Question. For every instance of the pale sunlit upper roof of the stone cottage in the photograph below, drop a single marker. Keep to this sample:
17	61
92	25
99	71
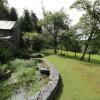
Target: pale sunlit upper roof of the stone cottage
7	25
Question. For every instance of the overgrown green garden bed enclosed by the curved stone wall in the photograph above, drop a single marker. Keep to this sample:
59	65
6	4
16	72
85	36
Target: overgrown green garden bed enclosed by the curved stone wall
25	80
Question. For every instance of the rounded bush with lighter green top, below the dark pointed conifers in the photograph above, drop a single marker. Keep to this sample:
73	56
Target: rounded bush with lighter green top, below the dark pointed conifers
34	41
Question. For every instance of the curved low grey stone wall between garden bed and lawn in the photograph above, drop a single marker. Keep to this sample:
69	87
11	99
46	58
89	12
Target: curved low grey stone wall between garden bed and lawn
49	91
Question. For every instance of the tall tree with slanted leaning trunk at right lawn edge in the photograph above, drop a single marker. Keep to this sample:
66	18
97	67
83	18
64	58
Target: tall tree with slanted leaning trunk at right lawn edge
90	21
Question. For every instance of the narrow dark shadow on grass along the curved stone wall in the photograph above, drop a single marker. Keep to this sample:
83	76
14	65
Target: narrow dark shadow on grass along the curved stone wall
59	91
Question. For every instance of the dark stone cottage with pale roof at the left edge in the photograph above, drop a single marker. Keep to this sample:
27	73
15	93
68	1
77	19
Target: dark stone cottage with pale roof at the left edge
9	32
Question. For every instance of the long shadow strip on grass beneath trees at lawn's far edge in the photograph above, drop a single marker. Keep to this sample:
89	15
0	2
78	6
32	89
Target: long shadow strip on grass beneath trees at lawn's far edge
92	61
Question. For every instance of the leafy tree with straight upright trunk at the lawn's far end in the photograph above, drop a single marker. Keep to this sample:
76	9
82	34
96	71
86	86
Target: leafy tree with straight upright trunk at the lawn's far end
53	24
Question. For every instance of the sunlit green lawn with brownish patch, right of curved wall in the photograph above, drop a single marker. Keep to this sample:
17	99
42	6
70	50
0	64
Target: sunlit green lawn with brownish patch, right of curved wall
81	80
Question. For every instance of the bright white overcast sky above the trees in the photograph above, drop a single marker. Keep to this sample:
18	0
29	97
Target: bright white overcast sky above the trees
50	5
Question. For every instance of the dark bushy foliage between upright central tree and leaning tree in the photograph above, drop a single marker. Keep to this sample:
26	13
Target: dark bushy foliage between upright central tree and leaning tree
69	40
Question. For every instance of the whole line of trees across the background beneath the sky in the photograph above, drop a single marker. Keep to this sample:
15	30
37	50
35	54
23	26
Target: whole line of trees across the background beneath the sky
54	31
